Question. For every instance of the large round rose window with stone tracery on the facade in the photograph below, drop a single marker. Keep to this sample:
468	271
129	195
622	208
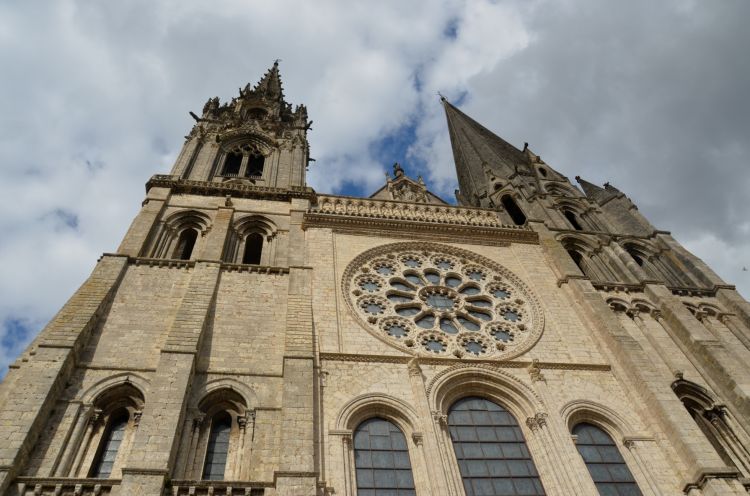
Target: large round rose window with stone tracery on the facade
428	299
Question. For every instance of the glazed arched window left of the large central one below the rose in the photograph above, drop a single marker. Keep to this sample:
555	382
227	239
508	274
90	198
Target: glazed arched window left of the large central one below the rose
381	458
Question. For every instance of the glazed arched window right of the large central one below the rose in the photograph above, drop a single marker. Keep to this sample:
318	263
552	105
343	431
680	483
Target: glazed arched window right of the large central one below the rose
604	461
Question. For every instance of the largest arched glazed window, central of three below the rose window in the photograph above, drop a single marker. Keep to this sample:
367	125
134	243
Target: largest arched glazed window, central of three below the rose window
491	450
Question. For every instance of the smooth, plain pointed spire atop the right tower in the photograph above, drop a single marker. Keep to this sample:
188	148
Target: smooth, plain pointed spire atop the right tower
476	148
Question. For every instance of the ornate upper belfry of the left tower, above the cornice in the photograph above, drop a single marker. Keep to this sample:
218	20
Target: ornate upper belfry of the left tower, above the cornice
256	138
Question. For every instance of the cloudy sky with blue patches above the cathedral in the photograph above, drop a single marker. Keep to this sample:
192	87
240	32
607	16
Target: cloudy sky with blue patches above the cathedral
651	96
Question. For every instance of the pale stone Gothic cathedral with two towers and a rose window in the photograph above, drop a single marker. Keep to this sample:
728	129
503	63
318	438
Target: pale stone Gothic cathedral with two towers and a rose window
251	336
